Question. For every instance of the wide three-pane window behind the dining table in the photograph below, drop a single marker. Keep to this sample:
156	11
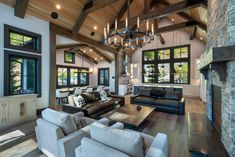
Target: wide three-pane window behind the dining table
68	76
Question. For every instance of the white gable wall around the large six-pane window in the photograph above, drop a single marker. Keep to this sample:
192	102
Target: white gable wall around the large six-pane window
197	47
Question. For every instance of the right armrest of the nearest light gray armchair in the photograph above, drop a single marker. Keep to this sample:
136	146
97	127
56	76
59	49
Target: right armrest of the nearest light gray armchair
159	147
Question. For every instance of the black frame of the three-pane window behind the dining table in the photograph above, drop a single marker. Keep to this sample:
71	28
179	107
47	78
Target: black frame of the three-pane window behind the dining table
68	78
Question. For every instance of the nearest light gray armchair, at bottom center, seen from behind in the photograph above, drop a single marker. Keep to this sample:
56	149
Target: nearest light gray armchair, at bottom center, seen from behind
109	142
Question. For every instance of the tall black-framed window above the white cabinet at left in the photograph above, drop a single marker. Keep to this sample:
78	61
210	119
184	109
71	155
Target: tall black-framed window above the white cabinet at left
22	73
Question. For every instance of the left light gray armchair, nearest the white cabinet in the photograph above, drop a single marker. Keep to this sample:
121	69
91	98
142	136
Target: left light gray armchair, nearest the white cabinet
58	135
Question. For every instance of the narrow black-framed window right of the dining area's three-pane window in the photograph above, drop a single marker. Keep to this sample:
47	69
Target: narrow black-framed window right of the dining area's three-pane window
103	76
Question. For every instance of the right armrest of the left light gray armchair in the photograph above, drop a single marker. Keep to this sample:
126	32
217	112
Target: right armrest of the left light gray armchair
68	144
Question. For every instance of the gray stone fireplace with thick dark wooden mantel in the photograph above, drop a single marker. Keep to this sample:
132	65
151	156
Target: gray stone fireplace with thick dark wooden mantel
218	66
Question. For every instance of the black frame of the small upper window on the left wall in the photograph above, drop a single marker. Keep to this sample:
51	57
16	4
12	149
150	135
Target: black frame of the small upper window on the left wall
8	29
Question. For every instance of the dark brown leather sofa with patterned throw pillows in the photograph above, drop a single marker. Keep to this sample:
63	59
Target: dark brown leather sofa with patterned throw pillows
94	106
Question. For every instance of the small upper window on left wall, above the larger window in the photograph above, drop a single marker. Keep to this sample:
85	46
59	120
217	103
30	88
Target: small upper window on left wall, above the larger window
19	39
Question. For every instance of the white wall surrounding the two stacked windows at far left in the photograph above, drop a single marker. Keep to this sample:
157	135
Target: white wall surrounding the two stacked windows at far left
35	25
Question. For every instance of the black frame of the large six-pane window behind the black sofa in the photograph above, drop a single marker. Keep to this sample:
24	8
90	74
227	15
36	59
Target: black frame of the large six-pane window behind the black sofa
171	61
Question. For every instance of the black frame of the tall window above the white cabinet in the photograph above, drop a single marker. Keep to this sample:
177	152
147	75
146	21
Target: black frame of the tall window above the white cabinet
7	57
